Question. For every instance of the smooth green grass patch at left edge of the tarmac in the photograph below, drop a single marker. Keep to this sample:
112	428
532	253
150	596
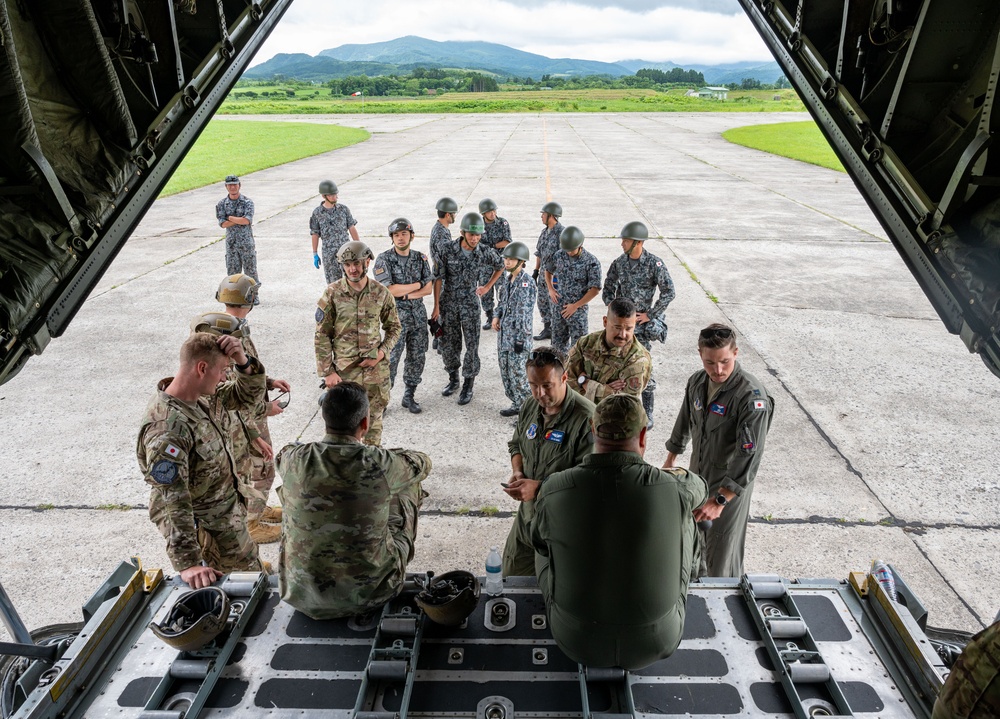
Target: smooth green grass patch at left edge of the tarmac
238	147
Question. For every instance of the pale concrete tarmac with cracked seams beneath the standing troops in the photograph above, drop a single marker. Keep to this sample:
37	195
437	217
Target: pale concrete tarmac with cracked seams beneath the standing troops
885	431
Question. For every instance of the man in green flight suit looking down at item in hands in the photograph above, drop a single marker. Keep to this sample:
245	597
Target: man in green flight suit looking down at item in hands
552	433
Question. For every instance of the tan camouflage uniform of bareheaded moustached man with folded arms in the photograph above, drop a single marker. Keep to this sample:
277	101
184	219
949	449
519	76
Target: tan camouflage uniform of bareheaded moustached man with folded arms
601	363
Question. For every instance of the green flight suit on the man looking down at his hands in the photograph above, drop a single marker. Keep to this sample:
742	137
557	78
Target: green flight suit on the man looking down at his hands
545	448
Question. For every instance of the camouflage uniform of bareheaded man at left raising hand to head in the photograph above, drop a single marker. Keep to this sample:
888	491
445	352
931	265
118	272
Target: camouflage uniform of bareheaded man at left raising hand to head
186	455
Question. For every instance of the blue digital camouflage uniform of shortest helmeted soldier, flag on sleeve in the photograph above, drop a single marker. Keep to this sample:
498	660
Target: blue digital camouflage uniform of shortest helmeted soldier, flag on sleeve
515	308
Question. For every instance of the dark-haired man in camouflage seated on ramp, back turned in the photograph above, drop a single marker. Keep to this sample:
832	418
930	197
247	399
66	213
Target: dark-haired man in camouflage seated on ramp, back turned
350	514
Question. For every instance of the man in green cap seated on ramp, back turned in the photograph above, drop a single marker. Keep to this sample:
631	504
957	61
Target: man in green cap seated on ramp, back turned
622	535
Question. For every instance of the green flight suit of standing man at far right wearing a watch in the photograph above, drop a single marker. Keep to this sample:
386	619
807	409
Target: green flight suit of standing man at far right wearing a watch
727	442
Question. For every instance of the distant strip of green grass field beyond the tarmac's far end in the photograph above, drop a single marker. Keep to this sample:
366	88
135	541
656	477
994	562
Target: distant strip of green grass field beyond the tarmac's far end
319	101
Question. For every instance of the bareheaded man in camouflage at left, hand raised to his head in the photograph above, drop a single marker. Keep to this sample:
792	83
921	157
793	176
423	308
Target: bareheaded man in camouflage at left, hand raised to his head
185	453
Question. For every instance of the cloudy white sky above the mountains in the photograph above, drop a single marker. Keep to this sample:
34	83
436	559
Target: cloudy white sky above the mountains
684	31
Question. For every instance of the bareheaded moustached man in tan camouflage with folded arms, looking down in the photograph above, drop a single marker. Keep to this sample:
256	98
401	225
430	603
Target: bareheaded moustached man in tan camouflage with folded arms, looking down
611	361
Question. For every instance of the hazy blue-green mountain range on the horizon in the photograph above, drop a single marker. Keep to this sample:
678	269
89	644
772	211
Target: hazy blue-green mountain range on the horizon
403	54
